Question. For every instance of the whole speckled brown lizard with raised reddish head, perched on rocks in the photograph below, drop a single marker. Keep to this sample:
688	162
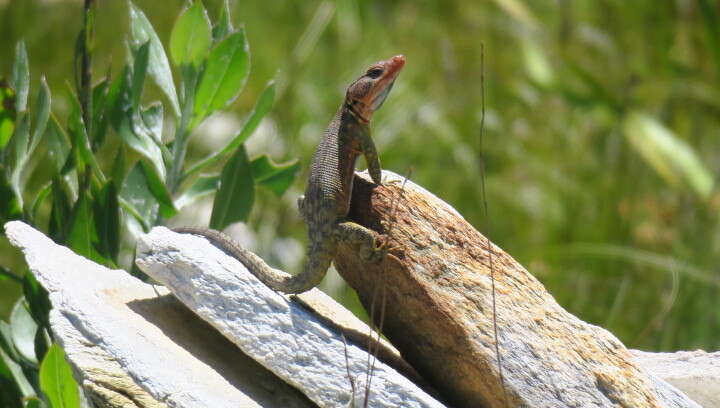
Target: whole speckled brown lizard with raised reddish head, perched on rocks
326	202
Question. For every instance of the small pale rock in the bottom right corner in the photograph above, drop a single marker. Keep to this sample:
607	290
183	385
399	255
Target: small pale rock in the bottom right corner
696	373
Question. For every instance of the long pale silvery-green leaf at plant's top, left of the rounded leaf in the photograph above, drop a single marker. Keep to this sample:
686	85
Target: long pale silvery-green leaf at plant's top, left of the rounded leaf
141	31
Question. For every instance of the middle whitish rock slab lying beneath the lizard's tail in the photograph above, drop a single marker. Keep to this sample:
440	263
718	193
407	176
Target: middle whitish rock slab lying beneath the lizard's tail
281	334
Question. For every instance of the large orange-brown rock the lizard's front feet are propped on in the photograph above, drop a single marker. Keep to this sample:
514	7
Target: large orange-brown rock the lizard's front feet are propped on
432	297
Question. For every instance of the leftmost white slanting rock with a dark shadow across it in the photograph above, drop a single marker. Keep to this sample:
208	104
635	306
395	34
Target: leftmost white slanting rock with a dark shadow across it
171	354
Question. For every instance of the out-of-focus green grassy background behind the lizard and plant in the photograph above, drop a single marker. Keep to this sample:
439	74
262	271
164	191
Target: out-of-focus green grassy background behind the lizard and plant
601	131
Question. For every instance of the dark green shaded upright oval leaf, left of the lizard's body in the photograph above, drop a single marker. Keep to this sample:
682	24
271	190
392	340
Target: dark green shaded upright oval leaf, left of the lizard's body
235	196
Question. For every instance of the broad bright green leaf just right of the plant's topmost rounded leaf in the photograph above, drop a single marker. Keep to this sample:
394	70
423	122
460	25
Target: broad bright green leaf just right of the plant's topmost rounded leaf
225	75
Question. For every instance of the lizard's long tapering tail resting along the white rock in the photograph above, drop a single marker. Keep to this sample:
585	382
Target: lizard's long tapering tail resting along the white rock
275	279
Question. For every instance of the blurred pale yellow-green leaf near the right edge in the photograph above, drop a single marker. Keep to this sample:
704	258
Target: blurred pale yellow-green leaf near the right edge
670	156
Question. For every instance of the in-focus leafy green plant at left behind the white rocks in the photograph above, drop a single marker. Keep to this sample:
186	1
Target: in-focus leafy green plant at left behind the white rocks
92	213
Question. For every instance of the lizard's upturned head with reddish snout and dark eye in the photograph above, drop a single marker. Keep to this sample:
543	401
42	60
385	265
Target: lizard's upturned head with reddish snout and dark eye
367	93
